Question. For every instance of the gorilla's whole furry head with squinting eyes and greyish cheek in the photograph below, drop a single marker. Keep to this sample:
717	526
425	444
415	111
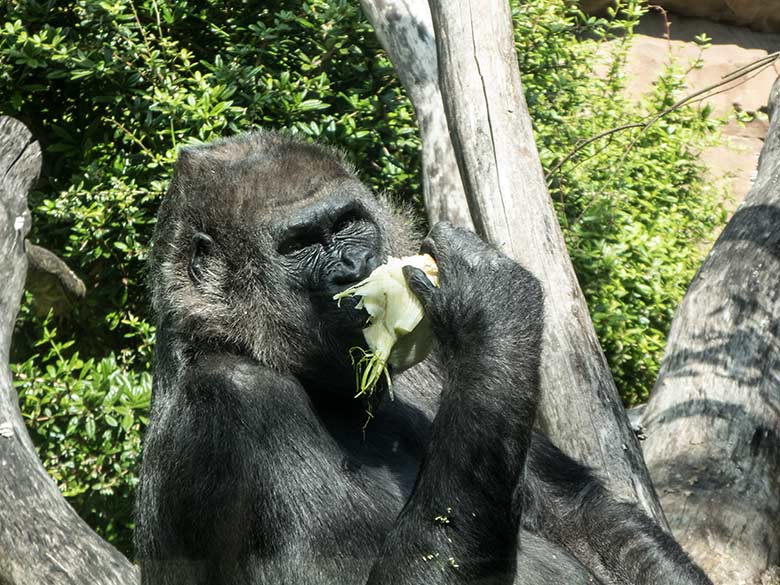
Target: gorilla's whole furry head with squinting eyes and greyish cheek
255	237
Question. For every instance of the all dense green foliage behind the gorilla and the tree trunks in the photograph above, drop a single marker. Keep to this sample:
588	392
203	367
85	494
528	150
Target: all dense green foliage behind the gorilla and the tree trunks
112	88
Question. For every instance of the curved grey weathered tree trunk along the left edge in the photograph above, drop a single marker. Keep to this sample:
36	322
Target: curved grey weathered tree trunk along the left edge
42	541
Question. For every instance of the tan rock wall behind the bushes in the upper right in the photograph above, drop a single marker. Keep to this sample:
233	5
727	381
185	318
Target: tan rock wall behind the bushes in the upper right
742	32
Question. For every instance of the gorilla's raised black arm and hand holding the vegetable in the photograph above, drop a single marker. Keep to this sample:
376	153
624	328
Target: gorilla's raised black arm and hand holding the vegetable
461	523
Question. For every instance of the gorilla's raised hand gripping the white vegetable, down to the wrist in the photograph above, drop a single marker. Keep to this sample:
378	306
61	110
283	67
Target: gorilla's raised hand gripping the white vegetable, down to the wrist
486	304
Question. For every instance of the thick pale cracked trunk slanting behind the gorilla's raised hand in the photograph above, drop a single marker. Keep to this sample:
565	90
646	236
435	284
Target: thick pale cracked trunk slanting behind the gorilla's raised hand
494	144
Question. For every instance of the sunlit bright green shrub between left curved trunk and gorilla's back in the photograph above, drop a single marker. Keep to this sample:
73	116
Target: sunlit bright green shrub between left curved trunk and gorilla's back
86	418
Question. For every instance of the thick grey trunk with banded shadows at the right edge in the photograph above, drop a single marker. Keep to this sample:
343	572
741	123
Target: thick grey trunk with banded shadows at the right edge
713	420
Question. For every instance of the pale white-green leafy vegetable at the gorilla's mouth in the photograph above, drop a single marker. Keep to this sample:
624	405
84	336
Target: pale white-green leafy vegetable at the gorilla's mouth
396	332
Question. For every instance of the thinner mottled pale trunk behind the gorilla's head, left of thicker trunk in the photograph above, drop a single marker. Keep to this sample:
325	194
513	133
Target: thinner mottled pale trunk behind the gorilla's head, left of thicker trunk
404	28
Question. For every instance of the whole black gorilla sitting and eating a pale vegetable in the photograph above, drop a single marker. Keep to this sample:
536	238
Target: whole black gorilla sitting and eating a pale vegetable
256	468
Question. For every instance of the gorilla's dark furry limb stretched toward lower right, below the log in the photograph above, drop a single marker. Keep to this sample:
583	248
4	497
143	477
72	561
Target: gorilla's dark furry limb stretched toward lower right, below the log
566	503
